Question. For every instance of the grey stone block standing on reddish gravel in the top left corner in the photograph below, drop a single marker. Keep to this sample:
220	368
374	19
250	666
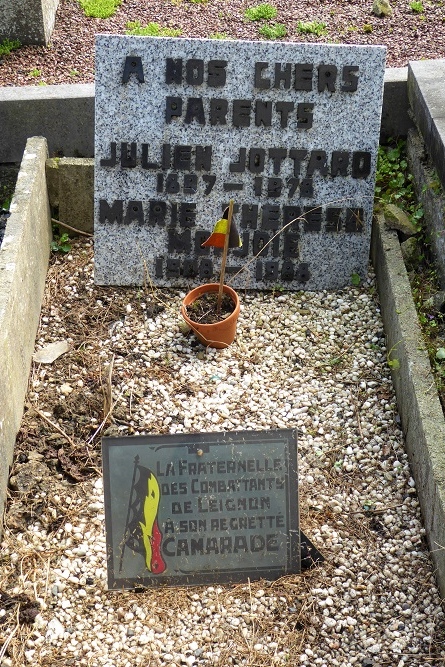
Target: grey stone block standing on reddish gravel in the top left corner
30	21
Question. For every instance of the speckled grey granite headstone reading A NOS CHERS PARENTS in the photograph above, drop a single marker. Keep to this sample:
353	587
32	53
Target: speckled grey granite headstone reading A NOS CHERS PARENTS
288	131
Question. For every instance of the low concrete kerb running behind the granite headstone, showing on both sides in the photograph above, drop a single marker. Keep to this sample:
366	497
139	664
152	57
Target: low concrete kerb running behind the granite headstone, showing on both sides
65	116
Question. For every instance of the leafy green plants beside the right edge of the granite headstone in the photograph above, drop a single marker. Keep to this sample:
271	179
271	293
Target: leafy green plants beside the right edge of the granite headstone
394	182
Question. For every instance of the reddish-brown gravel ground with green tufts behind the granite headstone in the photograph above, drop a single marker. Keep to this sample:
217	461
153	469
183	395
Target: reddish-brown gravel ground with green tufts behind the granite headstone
70	56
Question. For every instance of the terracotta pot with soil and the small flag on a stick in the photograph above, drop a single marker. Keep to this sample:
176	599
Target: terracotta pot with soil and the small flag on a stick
211	310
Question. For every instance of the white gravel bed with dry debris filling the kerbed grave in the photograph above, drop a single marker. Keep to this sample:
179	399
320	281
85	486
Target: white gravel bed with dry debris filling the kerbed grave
312	361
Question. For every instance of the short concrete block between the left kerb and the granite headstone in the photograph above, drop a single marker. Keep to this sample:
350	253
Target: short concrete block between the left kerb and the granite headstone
71	191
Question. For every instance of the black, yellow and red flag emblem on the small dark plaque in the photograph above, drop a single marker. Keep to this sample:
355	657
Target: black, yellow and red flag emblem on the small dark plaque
143	534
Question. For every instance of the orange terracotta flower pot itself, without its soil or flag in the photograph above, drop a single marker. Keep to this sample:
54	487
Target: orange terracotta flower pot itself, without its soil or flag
220	334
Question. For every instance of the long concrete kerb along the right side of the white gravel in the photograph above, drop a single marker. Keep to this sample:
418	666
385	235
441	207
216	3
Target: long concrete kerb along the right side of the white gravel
418	404
